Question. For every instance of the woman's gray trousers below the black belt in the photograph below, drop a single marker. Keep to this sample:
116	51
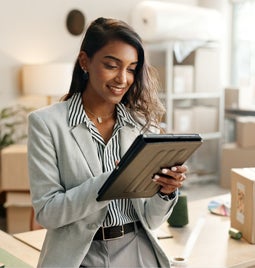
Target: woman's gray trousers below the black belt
133	250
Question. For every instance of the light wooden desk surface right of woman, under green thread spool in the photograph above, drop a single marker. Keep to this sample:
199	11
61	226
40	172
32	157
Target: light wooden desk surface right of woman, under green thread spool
212	247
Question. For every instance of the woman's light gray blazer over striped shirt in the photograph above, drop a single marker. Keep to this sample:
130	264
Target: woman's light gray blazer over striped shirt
65	176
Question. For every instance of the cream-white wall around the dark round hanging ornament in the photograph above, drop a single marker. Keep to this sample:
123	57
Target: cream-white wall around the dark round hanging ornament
34	31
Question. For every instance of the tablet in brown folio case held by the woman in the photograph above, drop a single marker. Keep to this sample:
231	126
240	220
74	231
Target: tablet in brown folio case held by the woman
132	177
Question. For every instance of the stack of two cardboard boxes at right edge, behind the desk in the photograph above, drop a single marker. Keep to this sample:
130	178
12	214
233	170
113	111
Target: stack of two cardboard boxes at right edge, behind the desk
241	153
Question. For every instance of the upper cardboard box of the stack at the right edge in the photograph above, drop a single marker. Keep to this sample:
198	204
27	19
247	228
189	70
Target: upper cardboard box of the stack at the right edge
245	129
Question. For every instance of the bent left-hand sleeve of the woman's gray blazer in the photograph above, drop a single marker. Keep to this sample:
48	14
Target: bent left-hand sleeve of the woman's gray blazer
55	204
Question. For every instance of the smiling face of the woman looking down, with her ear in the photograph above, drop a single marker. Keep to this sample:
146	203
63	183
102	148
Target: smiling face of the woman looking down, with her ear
111	71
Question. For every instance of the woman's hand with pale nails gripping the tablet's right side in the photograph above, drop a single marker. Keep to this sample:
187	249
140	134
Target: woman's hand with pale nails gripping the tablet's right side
171	179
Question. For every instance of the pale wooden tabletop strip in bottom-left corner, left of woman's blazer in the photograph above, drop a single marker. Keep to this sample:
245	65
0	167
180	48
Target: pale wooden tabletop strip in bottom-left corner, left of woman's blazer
20	250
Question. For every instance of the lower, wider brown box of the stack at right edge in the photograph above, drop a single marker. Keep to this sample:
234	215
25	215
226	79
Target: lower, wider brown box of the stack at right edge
233	156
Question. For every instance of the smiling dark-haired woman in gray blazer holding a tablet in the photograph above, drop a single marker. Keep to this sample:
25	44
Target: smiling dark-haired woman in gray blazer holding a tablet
74	145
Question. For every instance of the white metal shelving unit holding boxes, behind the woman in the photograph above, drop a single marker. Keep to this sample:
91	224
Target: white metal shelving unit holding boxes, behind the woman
193	97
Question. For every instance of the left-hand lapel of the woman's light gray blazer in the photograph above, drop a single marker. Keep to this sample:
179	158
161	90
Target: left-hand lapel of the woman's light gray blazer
88	148
